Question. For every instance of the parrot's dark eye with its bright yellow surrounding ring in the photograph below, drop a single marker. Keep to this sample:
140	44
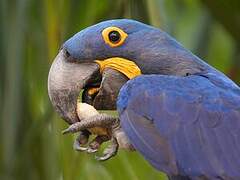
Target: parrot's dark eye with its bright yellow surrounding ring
114	36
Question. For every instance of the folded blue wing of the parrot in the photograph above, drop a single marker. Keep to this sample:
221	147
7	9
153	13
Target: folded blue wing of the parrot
184	125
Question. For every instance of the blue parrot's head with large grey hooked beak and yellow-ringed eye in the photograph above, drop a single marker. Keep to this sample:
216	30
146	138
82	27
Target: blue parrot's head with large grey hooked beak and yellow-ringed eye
78	64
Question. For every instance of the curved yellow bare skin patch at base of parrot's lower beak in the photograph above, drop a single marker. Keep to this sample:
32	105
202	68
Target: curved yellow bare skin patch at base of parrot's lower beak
127	67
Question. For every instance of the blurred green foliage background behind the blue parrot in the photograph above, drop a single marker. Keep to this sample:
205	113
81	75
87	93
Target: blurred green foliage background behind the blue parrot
31	32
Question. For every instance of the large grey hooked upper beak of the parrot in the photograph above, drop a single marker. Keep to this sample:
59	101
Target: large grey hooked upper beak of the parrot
65	80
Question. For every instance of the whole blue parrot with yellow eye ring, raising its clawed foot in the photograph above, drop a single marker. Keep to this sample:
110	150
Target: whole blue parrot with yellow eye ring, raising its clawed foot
179	113
